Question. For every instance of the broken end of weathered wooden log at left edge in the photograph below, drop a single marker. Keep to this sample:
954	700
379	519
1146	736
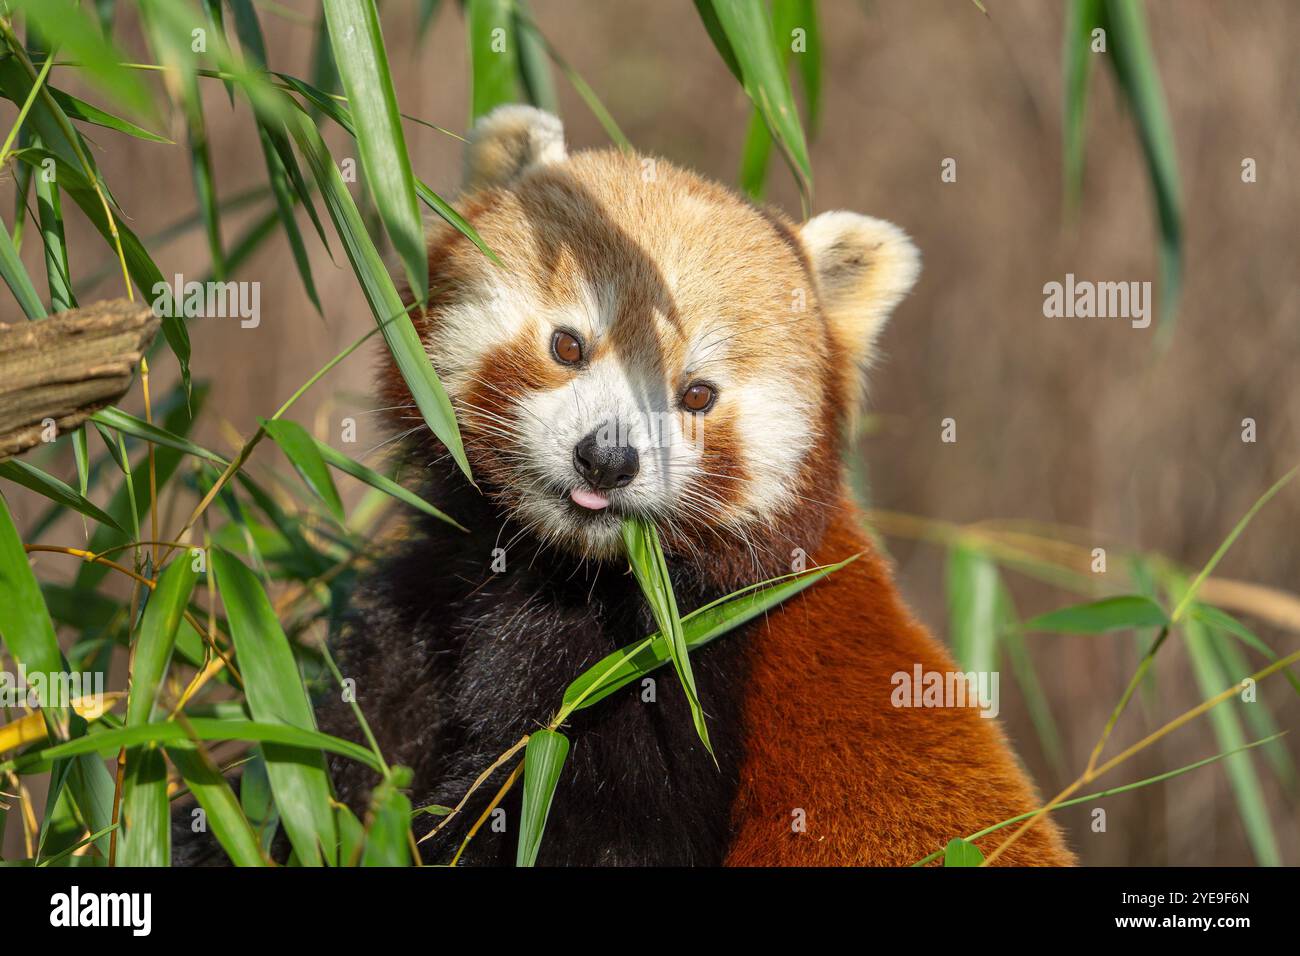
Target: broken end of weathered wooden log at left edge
66	369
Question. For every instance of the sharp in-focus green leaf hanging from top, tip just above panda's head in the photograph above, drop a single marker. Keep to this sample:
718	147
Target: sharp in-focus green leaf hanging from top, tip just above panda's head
762	72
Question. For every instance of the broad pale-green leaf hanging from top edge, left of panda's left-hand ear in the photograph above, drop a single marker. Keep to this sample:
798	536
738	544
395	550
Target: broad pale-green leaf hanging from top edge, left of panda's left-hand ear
358	44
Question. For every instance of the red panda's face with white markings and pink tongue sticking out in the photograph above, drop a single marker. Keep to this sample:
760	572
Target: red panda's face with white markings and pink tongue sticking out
651	345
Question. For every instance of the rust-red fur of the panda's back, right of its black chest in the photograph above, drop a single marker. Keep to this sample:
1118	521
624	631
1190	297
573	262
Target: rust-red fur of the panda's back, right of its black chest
878	785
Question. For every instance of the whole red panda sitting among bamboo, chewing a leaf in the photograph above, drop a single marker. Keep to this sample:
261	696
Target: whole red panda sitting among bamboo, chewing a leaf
653	345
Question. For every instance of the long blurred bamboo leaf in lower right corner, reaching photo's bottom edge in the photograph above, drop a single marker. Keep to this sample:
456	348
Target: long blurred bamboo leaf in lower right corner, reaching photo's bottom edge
1228	730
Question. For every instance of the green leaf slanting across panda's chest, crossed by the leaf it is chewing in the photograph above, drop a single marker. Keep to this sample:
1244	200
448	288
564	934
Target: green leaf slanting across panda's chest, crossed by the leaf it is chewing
701	626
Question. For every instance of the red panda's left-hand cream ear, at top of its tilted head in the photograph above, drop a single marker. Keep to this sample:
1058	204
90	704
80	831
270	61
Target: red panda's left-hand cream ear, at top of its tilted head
510	140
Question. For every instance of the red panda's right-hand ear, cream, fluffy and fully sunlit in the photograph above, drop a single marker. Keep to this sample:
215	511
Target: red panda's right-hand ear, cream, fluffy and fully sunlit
864	269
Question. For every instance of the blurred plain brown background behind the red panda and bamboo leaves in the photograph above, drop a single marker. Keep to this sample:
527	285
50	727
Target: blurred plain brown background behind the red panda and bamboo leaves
1082	423
